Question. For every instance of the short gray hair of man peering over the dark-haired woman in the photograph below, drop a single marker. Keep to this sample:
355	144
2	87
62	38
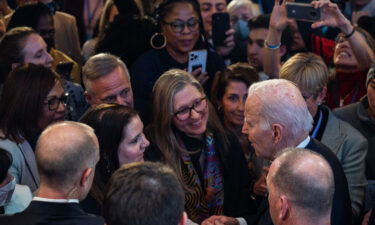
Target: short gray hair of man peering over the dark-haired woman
100	65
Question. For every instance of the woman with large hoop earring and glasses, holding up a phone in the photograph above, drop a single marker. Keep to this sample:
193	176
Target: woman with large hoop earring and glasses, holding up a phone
180	32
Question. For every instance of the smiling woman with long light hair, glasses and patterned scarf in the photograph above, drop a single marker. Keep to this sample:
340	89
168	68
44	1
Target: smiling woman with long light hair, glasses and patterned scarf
187	135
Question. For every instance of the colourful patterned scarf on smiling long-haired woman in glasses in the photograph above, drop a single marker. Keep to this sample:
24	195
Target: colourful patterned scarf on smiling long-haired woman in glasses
204	200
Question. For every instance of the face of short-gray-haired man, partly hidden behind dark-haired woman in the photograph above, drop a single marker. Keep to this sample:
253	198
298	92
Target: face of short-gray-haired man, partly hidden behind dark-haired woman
112	88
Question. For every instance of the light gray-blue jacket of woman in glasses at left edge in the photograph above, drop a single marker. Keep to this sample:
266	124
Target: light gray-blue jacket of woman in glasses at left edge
24	165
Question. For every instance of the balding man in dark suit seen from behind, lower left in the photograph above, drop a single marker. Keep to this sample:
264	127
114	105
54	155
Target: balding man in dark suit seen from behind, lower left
66	155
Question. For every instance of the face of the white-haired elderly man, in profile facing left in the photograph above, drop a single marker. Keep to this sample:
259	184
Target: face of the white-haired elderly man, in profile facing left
261	137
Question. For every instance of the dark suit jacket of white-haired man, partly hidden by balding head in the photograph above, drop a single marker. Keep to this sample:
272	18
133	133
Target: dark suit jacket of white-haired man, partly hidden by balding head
341	209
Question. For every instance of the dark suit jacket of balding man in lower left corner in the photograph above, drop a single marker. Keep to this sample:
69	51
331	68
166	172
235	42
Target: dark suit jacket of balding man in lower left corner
47	213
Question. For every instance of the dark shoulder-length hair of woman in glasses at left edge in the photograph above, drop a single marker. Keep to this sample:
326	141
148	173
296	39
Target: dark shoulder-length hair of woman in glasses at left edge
22	100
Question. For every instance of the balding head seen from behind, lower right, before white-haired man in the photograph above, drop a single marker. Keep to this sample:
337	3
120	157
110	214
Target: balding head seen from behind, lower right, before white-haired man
301	188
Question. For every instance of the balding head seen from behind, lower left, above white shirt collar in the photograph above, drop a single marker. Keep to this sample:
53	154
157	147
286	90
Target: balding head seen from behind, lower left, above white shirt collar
66	155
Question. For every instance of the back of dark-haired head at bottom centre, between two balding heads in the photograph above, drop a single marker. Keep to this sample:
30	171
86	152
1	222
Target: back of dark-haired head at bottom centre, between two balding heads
144	194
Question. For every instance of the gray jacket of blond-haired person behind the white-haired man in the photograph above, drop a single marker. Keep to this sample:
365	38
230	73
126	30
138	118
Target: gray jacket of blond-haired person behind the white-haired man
350	147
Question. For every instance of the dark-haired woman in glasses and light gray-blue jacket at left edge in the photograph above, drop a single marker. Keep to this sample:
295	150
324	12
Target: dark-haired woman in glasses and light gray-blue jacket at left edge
32	99
